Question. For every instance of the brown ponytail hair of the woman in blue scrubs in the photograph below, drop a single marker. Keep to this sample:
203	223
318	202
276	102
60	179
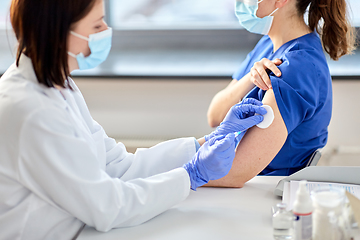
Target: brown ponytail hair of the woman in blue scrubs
329	19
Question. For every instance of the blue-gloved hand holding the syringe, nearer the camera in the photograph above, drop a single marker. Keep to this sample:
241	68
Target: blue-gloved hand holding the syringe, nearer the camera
212	161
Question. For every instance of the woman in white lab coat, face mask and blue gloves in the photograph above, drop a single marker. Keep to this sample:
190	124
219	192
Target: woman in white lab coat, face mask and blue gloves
58	168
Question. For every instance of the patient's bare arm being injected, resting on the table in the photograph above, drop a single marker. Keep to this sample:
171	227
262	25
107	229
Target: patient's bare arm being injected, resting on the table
257	149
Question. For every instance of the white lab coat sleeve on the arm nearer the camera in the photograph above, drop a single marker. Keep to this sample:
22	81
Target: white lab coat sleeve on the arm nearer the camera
60	168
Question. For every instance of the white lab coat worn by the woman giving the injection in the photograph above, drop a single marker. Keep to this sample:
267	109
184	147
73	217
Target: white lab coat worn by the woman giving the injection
59	170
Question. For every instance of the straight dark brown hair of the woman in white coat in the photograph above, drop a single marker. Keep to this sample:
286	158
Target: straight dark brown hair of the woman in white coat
41	28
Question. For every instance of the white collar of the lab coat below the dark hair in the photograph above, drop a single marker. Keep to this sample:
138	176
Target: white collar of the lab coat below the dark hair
26	69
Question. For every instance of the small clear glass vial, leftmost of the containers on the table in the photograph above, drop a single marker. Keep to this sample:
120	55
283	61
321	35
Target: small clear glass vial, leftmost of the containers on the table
282	223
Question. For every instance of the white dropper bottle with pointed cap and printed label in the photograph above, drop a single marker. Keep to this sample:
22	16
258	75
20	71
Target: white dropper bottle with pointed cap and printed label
302	210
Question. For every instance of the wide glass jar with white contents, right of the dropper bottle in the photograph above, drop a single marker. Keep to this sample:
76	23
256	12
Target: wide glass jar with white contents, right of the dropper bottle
330	216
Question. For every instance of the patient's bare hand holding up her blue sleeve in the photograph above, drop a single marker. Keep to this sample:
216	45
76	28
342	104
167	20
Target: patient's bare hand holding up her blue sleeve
259	72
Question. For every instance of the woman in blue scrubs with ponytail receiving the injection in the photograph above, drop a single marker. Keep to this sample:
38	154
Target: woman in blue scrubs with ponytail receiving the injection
299	90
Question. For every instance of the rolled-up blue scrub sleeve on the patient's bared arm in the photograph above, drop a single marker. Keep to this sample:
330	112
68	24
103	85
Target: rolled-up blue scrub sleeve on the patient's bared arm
295	91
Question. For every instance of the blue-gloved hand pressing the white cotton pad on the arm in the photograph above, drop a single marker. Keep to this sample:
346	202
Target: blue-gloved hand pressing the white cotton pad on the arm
240	118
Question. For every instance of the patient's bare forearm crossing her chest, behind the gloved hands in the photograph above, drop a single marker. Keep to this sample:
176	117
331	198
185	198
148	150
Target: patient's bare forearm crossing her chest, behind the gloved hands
226	98
